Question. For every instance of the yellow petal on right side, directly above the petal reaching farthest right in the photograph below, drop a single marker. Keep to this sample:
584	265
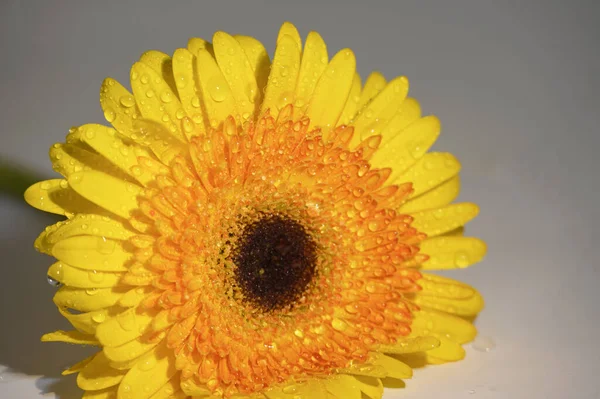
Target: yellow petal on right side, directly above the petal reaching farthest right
434	222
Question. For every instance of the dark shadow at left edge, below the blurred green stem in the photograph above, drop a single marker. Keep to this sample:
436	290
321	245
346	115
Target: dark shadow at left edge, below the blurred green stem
27	309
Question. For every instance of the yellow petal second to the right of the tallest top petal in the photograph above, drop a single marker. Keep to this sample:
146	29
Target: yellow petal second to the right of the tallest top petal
331	93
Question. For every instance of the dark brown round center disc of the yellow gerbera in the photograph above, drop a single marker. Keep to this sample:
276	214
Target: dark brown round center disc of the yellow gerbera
275	260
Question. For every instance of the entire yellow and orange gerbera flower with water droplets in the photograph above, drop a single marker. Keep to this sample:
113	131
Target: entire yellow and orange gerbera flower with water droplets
248	229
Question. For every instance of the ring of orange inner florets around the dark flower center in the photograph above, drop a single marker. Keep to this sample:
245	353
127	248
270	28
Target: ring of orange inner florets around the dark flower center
231	178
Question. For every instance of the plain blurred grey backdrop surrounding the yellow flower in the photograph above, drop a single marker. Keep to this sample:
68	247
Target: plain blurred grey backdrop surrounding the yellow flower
515	84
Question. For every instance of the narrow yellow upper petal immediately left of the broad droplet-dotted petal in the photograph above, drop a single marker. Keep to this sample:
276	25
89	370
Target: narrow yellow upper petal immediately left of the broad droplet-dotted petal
216	93
